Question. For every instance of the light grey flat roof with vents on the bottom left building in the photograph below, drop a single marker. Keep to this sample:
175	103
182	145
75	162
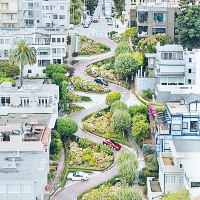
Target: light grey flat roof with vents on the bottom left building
31	167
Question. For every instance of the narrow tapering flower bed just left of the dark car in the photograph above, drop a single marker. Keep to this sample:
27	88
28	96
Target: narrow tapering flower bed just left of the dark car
81	84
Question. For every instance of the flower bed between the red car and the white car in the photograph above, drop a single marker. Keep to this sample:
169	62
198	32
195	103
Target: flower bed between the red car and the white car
94	156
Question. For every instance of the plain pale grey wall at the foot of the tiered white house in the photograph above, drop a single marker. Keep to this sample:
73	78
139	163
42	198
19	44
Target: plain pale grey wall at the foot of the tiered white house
144	83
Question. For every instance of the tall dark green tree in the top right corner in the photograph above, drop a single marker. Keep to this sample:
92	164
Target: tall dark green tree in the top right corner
188	22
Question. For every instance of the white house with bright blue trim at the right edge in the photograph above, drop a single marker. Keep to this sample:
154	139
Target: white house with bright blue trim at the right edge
181	120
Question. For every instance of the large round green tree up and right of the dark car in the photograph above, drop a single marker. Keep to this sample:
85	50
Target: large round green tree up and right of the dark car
126	65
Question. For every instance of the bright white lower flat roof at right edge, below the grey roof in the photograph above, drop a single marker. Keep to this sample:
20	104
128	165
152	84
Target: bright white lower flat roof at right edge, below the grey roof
191	167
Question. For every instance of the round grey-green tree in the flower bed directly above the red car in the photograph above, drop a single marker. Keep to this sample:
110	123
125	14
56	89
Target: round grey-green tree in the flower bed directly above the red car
121	120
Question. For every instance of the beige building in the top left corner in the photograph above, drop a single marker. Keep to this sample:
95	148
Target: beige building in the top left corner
8	13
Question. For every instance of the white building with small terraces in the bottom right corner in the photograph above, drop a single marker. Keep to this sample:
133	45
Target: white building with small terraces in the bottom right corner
178	169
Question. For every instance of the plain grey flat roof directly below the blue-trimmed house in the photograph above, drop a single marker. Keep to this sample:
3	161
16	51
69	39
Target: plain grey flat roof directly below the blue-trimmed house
187	145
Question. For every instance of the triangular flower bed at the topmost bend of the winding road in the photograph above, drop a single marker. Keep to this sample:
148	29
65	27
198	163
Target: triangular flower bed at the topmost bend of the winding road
89	47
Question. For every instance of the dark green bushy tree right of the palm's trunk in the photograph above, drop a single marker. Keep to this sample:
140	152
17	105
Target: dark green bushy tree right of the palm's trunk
55	68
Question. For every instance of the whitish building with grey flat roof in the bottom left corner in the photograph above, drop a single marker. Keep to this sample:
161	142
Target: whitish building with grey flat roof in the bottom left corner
23	178
